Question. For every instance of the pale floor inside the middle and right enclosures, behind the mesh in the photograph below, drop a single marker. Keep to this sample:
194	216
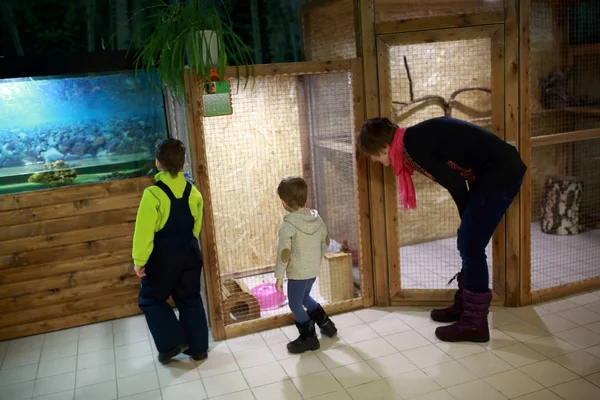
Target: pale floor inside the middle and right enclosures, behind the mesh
555	260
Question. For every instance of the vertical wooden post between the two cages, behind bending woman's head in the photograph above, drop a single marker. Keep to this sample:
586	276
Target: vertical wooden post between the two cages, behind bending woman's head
365	40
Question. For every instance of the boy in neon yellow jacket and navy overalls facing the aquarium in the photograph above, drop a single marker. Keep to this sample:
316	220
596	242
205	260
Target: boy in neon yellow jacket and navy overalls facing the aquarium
167	257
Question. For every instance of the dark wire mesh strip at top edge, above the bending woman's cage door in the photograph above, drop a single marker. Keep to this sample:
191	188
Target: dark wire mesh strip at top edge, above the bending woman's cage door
392	10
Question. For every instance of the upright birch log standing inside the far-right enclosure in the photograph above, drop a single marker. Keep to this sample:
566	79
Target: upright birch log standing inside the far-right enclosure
562	200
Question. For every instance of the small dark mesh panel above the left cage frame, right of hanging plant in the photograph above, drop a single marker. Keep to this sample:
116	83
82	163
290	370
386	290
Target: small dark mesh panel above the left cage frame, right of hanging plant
329	32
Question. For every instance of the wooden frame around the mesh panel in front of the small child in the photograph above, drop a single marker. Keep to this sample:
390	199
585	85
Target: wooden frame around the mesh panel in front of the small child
208	237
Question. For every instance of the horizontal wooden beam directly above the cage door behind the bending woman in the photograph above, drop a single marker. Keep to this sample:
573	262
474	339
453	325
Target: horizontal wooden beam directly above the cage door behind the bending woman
439	22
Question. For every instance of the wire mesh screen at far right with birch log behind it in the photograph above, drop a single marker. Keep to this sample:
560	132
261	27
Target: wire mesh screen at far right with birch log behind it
565	100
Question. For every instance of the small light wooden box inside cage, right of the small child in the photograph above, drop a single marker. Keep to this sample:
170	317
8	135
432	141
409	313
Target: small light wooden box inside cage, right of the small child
336	281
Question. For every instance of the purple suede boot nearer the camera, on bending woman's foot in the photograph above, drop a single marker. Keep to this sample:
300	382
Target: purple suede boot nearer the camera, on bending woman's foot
472	325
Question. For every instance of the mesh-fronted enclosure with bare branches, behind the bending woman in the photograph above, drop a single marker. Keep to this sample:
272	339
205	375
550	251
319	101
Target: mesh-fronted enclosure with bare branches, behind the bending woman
424	75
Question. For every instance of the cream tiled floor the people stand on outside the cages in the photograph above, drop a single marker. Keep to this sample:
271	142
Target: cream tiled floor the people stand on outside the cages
546	352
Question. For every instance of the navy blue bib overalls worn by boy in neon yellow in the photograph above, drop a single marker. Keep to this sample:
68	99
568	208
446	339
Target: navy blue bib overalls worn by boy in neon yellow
173	269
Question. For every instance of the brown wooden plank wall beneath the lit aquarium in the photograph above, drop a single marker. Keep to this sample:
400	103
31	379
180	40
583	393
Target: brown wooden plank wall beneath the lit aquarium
65	257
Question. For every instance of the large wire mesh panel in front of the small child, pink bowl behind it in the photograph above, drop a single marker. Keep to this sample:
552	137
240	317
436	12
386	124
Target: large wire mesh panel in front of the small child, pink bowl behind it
281	127
